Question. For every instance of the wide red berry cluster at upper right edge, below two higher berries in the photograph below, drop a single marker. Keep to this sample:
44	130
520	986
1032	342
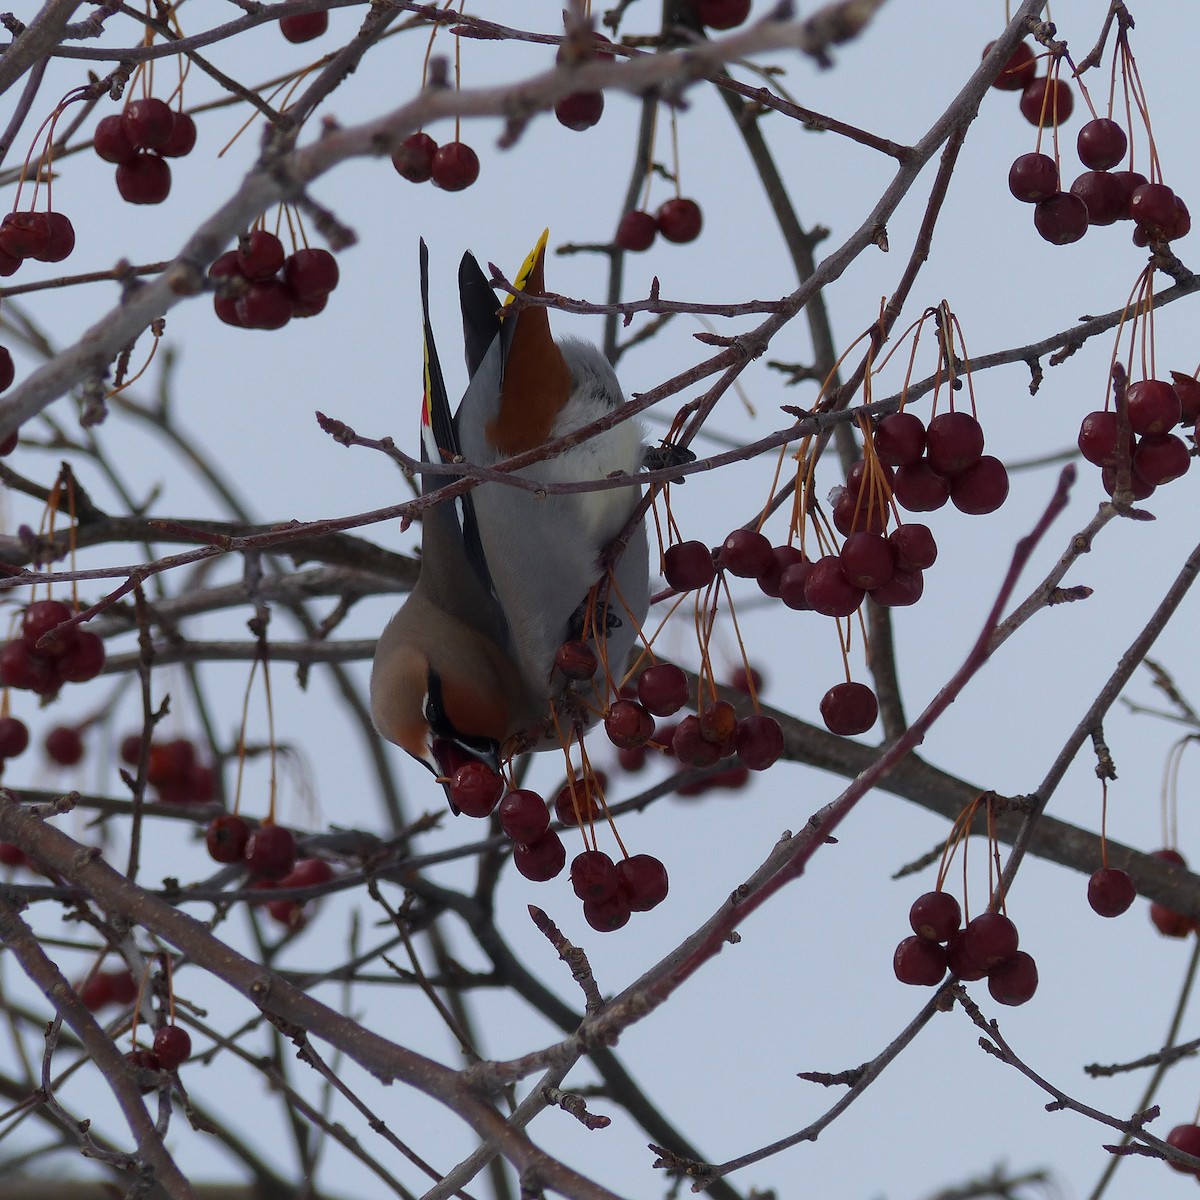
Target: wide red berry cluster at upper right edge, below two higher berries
1100	196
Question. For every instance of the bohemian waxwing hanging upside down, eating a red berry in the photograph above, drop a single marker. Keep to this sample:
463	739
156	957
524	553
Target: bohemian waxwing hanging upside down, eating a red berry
466	669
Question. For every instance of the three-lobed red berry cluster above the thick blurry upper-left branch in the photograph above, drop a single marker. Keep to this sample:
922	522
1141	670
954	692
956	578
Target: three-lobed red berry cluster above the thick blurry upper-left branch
140	141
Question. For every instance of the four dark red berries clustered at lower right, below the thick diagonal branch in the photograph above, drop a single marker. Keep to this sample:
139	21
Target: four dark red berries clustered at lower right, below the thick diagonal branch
987	946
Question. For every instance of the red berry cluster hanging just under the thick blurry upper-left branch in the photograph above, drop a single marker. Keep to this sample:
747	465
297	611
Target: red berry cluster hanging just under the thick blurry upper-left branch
269	287
